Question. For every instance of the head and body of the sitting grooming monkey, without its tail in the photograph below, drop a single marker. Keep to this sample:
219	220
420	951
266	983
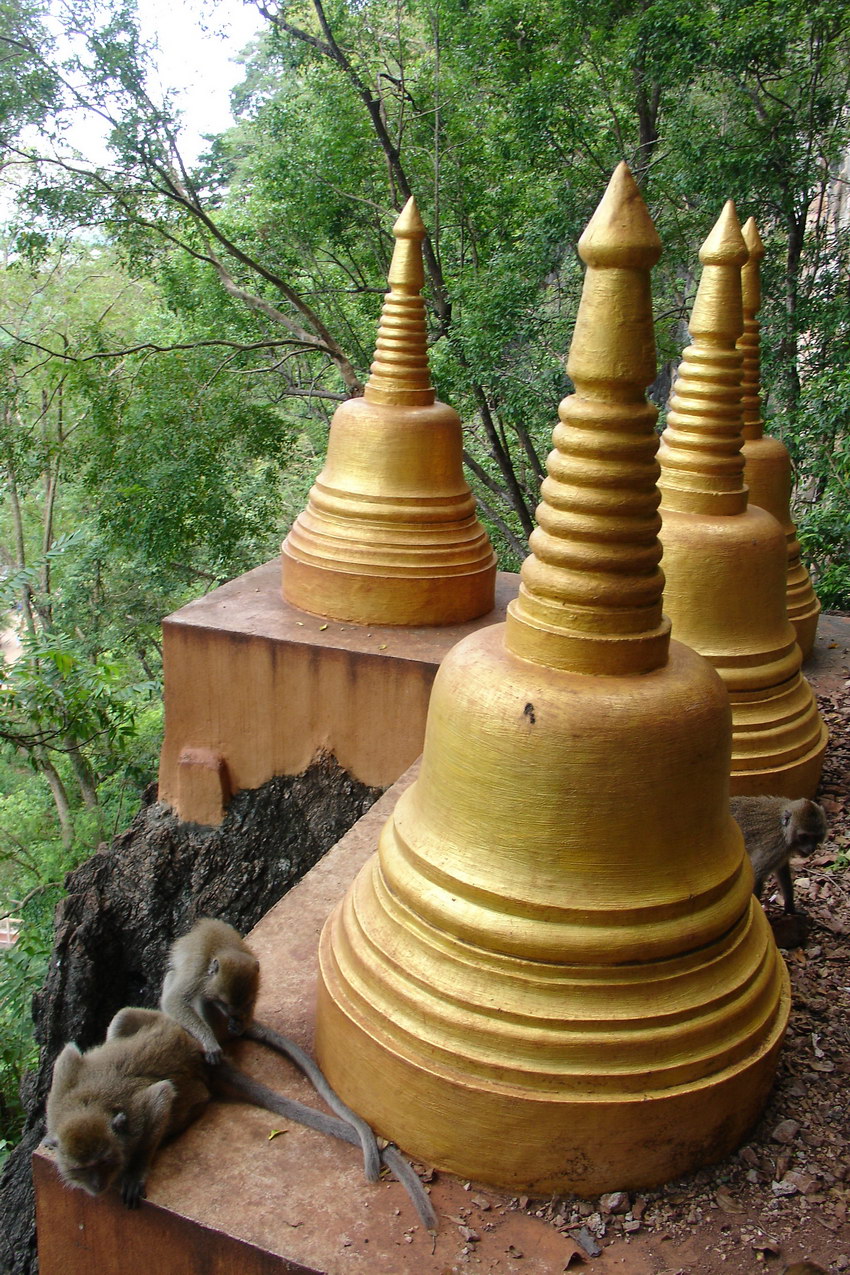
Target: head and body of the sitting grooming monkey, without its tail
211	985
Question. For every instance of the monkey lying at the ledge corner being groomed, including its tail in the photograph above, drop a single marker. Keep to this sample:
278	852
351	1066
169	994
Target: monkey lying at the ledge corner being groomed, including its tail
110	1109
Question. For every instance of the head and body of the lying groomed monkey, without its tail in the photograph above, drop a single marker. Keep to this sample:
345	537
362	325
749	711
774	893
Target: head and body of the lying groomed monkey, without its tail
110	1109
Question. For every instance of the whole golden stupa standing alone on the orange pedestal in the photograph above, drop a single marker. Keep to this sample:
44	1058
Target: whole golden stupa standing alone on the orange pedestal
391	535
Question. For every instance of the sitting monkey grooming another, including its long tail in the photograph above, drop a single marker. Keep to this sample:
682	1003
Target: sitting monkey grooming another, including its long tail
212	985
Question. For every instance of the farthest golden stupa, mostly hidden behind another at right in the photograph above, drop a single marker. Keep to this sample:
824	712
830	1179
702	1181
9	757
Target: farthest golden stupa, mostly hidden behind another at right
768	466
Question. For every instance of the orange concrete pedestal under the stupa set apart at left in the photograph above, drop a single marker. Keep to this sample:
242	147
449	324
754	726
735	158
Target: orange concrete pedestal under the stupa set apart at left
256	688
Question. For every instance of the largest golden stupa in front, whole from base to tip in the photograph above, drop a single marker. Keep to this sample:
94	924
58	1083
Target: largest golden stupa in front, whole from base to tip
554	975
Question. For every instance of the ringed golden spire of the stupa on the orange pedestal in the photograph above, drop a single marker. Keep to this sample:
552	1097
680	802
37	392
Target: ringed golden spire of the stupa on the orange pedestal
400	372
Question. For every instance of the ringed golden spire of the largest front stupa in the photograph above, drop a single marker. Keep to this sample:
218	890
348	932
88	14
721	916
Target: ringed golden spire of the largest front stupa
591	595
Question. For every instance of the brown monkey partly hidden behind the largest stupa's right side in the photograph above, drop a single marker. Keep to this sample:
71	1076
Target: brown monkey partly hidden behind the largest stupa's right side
774	831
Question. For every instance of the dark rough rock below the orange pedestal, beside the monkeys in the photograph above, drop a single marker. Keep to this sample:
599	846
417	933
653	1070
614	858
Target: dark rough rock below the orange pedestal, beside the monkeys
131	901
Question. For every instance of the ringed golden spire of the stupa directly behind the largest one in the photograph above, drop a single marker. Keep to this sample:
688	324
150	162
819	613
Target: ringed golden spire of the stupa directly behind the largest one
703	470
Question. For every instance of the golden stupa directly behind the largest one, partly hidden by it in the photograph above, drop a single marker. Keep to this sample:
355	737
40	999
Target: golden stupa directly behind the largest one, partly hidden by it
726	560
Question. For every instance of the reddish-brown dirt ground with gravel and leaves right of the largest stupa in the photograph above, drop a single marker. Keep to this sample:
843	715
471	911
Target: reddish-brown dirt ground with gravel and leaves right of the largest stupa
784	1197
